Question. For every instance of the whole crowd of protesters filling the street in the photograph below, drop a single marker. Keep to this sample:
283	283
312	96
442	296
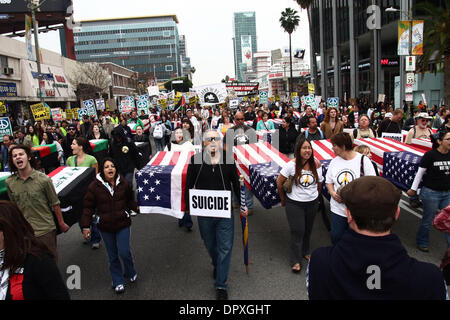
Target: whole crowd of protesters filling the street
111	198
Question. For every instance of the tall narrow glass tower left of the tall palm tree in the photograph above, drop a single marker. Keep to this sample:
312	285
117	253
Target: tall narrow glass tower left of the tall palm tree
244	43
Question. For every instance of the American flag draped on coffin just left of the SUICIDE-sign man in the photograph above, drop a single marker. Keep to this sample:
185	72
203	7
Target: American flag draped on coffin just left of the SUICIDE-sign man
161	184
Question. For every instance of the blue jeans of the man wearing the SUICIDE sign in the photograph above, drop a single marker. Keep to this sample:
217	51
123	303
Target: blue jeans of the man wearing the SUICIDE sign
218	234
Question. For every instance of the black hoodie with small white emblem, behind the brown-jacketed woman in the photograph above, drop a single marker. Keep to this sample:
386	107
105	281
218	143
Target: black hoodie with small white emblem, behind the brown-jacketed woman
124	152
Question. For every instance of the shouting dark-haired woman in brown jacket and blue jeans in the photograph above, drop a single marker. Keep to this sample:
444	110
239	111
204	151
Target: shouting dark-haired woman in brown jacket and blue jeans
110	197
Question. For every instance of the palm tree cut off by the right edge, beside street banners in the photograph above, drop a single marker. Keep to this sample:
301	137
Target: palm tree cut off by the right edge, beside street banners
437	40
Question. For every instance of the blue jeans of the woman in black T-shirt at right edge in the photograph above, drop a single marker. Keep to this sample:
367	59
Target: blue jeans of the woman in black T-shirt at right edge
433	201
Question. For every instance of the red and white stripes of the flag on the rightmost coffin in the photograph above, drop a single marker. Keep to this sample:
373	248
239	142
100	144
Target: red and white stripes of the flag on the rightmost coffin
378	146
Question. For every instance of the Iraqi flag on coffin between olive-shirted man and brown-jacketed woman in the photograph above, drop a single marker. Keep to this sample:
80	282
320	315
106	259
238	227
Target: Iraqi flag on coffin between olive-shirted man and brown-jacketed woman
71	184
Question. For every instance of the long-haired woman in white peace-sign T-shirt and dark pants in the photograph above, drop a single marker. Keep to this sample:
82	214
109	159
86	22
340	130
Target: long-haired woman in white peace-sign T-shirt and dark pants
301	199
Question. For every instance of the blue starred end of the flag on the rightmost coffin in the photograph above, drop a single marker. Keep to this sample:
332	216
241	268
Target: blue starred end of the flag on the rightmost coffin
400	168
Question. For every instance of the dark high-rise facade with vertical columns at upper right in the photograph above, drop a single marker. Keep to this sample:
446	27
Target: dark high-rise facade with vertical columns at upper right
355	61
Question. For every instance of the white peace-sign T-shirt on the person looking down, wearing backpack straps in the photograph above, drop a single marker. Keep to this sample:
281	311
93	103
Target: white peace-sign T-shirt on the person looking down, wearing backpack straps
341	172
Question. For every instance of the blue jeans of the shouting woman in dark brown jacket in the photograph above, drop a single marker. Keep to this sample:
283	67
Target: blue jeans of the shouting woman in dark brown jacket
118	245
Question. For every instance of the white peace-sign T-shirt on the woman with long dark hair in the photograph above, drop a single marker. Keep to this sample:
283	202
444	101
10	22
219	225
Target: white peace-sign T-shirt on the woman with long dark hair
307	189
